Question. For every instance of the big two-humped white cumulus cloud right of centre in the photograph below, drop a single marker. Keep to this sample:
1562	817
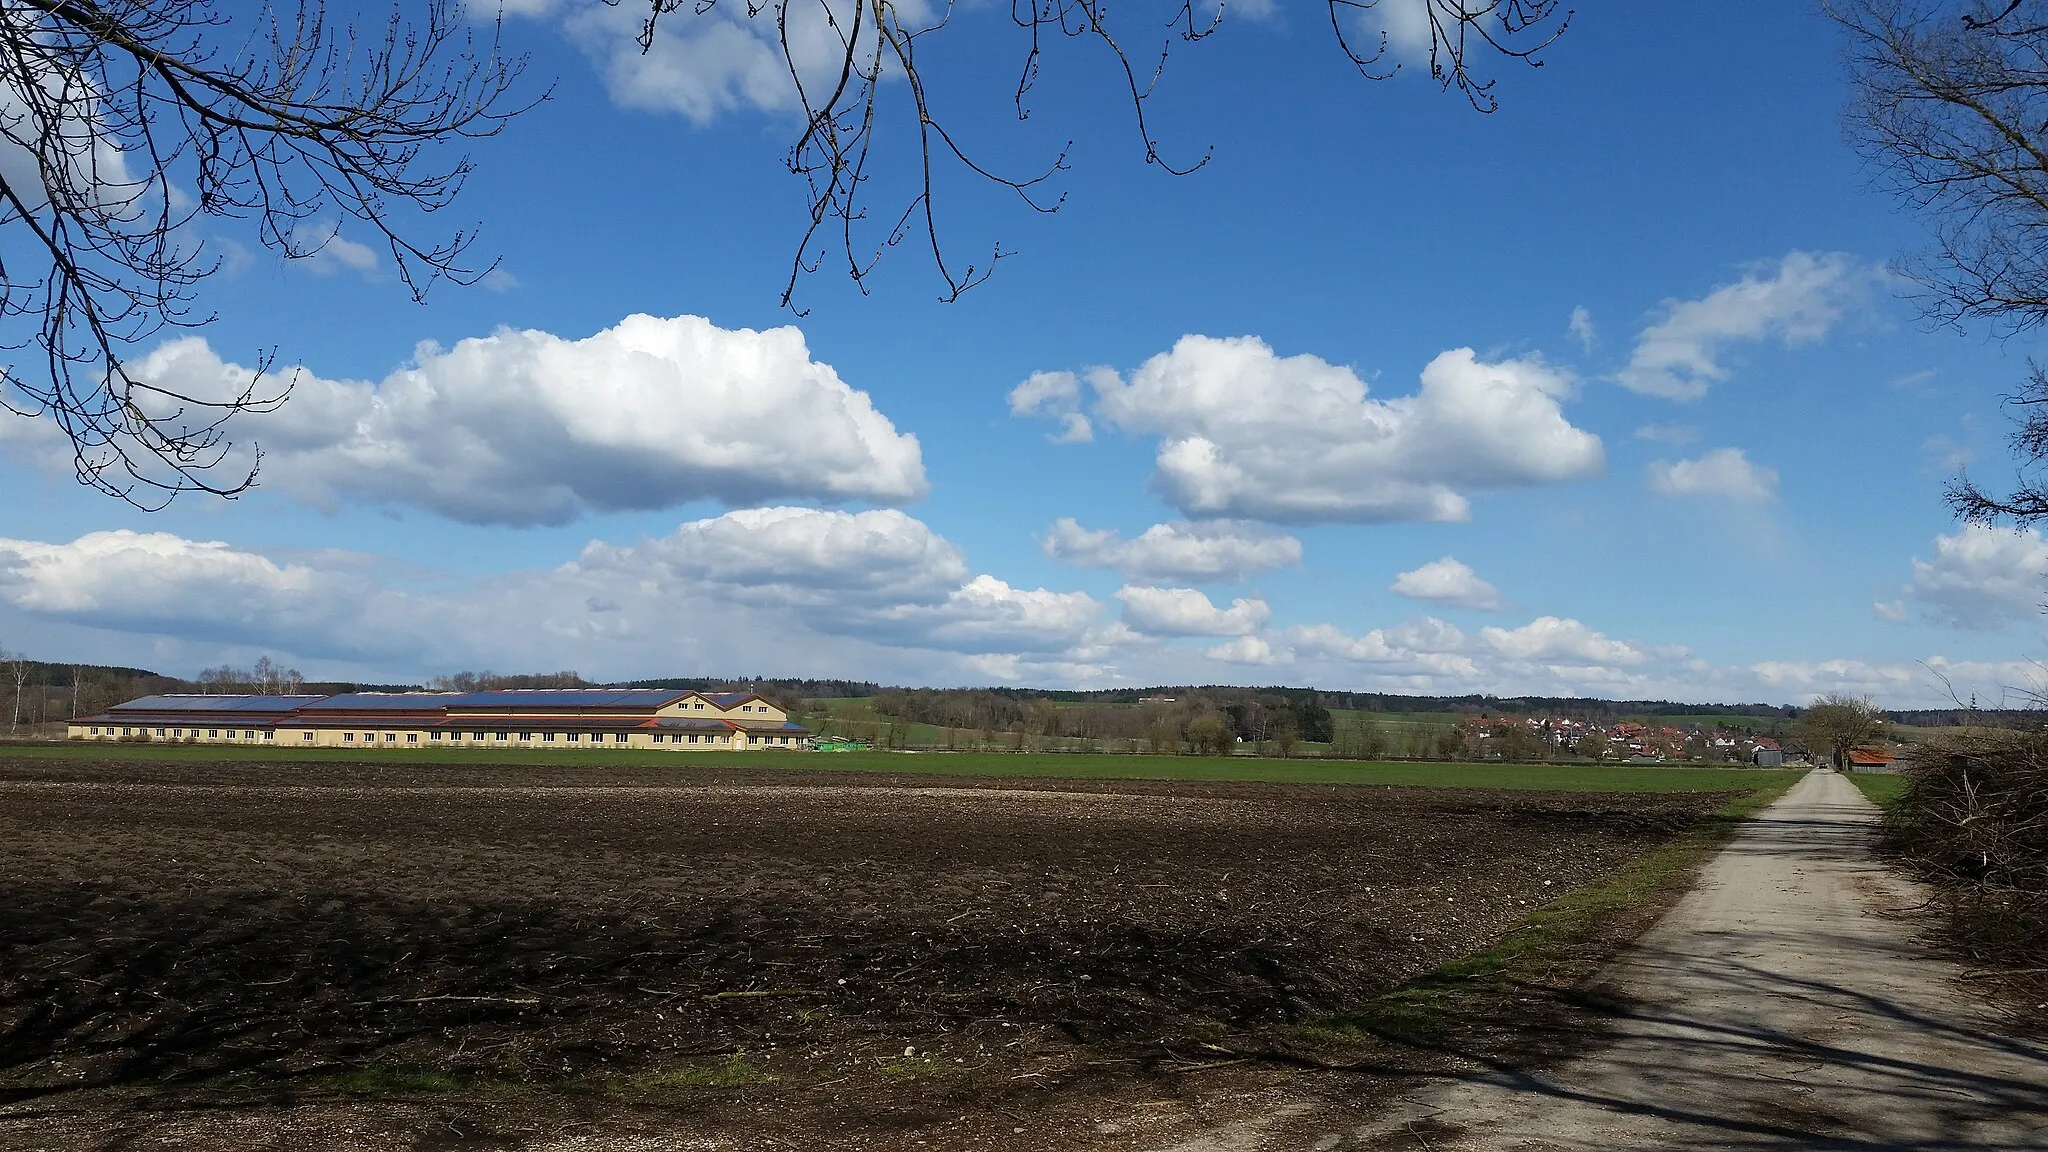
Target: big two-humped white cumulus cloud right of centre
1254	436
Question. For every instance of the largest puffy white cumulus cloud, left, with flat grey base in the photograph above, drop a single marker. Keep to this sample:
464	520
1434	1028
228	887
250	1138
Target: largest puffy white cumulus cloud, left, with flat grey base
527	427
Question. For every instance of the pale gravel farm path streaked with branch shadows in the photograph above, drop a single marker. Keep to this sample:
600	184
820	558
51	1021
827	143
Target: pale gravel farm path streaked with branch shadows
1783	1003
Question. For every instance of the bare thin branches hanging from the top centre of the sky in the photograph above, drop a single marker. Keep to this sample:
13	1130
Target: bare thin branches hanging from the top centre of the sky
843	95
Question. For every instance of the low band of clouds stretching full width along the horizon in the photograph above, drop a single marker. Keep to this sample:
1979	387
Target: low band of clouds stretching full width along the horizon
806	591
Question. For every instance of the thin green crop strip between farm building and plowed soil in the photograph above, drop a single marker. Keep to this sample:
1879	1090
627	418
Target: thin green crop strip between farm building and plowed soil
1033	766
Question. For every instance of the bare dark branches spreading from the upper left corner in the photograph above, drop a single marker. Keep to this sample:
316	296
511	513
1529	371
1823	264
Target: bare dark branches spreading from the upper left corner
126	126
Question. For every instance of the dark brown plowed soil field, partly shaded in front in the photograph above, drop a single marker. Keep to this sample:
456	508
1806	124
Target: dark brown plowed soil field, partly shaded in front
886	954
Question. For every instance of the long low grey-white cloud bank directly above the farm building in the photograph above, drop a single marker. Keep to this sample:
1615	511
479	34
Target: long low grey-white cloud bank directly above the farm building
787	585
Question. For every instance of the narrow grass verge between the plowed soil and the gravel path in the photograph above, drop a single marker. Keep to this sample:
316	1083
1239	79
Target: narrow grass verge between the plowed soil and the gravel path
1484	1003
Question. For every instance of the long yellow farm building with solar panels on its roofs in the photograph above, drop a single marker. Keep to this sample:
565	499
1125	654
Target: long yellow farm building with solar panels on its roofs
529	718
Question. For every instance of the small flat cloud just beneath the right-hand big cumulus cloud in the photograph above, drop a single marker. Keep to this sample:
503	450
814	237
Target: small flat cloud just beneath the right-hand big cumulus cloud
1201	550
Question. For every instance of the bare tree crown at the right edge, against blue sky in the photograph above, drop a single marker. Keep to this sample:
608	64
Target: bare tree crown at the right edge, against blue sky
1953	112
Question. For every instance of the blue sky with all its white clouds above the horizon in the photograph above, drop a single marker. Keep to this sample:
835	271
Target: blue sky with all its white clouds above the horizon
1609	393
